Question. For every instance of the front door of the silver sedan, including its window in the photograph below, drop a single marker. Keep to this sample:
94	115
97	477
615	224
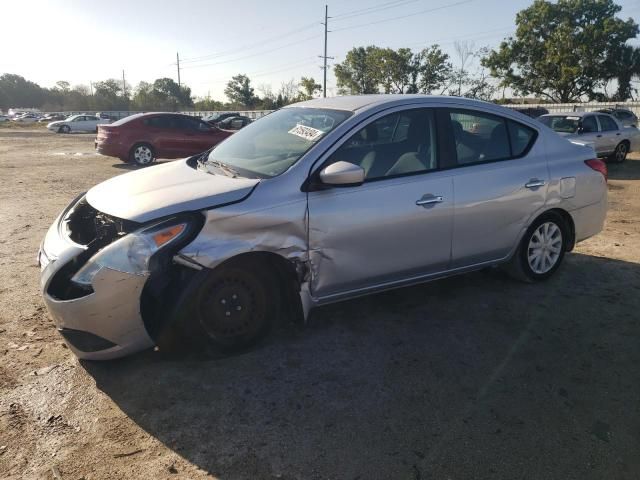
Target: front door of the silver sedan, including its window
394	227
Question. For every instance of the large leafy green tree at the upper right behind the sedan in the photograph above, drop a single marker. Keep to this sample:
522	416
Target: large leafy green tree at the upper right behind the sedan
561	51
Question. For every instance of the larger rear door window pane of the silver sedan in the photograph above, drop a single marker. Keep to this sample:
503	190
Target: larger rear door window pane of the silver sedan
479	137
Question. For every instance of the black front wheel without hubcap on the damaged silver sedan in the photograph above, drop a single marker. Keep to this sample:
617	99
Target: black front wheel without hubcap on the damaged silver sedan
231	309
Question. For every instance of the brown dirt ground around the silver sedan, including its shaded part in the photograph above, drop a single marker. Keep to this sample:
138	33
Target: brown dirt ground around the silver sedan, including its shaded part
473	377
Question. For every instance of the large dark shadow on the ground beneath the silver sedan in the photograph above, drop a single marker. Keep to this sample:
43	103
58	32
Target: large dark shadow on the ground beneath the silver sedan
475	376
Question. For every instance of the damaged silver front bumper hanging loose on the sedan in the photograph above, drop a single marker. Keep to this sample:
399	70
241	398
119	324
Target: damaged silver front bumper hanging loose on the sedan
101	323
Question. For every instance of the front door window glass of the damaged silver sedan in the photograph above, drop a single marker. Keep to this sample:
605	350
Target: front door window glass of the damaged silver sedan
397	144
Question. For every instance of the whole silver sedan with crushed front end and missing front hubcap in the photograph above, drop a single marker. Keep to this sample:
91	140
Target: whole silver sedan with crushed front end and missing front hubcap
317	202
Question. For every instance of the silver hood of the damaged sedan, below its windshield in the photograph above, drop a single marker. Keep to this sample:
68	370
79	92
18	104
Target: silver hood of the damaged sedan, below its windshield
166	189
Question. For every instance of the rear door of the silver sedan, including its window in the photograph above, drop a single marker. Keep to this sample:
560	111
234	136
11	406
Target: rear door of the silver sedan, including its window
500	180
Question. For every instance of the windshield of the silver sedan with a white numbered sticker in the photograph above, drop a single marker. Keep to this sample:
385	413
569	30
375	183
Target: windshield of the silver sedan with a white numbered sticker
268	147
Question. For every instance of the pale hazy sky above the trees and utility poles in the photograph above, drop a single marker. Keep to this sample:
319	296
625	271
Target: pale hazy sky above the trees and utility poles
270	41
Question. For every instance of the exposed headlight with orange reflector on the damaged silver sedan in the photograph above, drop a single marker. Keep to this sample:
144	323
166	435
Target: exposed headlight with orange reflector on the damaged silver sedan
131	254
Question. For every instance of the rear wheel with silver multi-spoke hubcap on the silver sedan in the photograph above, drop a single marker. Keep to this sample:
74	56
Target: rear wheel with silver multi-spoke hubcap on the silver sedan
534	264
